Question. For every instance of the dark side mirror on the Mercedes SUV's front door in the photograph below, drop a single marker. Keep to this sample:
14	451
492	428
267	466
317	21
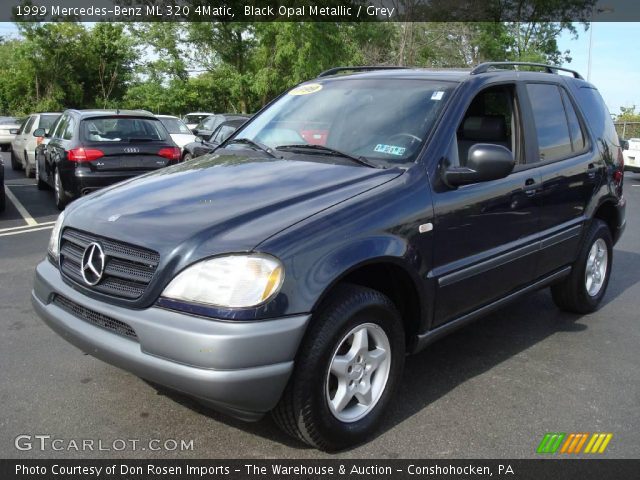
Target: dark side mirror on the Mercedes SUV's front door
486	161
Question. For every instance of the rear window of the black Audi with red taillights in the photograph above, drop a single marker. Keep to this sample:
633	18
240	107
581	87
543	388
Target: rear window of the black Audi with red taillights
122	129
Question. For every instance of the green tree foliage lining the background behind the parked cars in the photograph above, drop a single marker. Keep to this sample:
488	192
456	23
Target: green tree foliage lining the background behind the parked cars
180	67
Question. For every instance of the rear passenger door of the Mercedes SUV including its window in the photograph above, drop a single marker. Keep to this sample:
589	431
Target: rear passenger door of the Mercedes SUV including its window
570	172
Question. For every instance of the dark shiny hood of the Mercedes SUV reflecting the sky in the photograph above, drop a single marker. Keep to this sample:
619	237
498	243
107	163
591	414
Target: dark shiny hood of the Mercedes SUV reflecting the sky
219	203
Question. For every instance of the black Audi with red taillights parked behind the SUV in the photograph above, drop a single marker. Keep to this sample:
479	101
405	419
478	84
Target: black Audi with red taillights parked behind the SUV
91	149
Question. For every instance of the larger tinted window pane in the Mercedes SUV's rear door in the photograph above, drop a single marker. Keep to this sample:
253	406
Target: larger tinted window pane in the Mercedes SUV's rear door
554	141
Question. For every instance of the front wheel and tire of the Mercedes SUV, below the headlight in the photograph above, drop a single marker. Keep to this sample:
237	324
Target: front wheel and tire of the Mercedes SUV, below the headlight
306	409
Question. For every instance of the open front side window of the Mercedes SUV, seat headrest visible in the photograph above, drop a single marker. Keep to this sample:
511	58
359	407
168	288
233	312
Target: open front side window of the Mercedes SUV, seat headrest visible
492	117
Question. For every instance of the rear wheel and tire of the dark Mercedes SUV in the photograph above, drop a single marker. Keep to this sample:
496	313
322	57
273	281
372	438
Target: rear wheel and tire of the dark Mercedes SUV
583	290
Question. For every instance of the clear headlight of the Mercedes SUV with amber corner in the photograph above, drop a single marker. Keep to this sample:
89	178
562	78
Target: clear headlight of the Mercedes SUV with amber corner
231	281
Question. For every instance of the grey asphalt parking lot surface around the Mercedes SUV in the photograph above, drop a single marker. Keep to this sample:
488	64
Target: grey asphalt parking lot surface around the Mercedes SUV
491	390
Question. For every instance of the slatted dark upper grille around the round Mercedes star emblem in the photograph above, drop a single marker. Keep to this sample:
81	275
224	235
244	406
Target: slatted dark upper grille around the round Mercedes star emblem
128	269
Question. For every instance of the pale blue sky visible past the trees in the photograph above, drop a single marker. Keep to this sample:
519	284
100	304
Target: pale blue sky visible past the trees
615	69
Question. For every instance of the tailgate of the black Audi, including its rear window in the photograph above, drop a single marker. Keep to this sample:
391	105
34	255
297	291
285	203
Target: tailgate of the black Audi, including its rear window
126	144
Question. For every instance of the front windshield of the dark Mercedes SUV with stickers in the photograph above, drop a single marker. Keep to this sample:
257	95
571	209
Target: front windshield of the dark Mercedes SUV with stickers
382	120
